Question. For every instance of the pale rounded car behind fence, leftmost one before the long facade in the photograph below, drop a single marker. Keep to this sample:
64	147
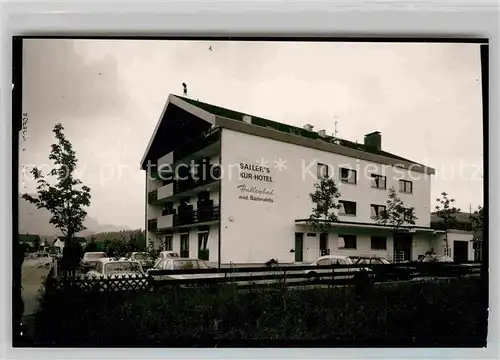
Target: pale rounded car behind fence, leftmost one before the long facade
343	273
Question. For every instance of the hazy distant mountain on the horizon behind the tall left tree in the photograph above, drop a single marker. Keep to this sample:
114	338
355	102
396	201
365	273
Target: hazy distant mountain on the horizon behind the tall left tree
36	221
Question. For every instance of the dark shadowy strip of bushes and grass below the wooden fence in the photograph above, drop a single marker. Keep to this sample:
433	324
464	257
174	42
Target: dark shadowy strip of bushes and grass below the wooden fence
441	314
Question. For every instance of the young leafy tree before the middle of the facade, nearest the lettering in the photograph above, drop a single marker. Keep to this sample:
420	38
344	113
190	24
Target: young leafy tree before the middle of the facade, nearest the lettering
325	200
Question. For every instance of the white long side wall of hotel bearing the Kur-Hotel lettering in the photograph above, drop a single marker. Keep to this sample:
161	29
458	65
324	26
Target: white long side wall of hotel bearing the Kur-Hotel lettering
255	231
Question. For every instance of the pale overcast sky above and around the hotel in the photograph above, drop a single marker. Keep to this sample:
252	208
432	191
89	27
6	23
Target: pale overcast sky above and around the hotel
424	98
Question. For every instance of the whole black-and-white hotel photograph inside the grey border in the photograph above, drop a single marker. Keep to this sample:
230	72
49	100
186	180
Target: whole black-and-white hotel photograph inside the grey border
216	192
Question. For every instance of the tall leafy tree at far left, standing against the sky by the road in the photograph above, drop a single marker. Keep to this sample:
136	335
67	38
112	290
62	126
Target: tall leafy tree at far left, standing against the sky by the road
67	198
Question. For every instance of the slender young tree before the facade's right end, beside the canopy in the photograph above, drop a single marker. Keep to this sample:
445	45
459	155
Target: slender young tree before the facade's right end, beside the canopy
396	215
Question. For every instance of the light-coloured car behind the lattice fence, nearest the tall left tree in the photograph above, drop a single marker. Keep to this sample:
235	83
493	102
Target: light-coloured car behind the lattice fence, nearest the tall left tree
113	269
